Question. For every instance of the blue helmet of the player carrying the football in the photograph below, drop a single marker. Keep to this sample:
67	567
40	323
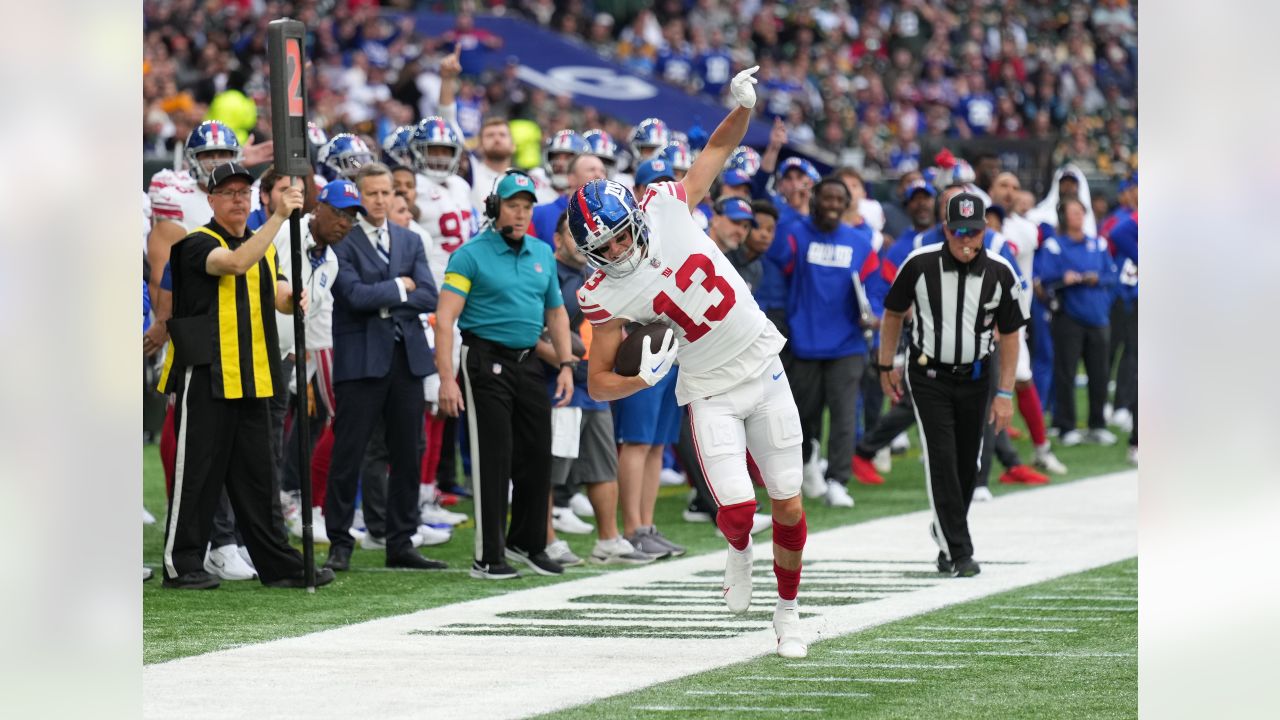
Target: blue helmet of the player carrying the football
600	212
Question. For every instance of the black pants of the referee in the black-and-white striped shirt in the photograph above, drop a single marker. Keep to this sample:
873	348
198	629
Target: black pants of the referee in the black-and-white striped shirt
952	414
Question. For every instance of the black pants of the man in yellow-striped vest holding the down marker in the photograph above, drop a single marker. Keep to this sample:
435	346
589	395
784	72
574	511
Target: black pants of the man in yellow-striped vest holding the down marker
223	444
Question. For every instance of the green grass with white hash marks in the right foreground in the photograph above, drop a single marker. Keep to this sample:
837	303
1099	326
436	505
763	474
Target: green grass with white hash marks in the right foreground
906	669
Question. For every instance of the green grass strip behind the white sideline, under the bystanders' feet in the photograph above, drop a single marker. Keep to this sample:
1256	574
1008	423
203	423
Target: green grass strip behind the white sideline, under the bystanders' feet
184	623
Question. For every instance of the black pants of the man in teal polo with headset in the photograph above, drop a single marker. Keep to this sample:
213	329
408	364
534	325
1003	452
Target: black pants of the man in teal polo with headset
510	431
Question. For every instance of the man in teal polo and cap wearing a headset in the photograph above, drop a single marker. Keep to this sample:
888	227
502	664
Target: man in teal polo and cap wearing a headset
501	289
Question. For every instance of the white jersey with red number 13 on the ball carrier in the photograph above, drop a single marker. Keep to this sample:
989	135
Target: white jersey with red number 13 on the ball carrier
688	284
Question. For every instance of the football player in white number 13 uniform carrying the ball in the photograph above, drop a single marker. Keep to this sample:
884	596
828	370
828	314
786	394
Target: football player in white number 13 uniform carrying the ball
655	266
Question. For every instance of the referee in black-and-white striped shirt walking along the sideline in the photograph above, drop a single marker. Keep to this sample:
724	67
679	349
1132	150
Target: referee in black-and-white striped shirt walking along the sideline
962	295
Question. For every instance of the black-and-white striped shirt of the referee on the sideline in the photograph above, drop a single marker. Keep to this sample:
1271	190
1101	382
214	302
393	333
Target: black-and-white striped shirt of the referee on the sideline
957	306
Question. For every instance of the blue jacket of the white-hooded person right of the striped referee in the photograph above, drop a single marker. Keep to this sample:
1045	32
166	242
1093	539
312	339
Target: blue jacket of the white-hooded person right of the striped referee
1089	306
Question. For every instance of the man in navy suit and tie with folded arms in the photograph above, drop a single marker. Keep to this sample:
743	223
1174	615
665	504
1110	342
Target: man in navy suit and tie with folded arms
380	359
